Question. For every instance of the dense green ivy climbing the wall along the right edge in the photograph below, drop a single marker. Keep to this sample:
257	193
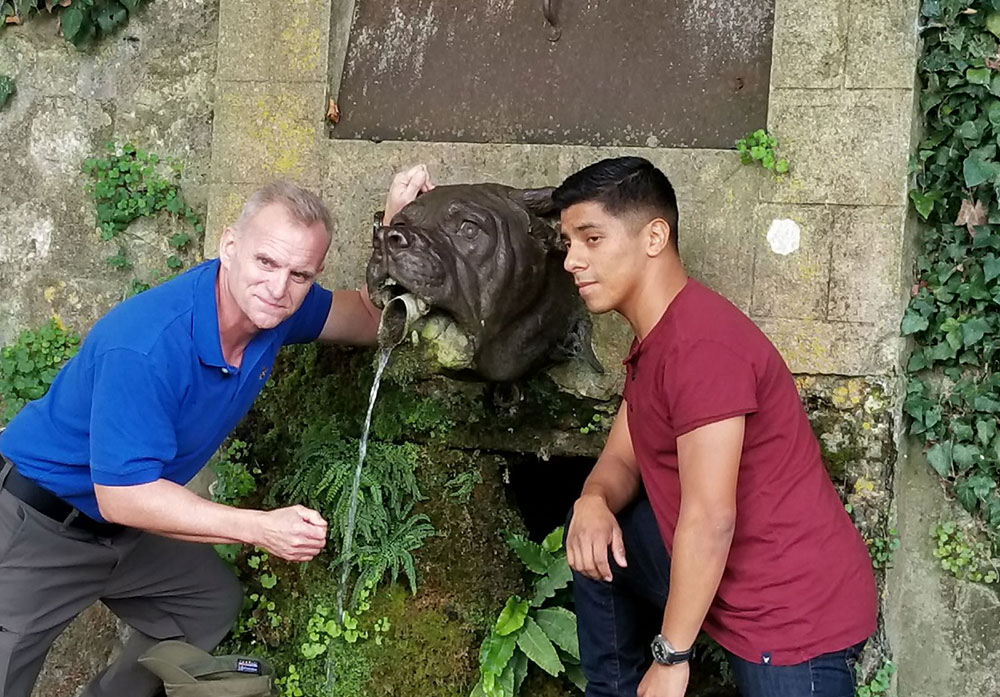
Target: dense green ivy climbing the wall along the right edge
953	392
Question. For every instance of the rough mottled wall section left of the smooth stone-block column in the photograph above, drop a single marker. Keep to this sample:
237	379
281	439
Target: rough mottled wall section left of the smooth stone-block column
152	84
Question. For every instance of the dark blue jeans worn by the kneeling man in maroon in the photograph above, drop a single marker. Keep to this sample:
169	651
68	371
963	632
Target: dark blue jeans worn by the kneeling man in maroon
617	621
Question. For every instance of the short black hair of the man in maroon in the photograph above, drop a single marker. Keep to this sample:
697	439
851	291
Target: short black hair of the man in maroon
622	185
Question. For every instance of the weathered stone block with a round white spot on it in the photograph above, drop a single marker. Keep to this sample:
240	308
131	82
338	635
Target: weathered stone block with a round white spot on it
794	285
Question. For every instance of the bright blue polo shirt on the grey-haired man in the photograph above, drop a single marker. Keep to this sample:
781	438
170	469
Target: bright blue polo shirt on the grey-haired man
149	395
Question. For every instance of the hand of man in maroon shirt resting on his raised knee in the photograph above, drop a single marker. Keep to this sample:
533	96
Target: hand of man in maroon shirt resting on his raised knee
592	530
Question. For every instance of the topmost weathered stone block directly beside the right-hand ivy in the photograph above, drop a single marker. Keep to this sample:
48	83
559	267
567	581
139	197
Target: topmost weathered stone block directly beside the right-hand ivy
882	50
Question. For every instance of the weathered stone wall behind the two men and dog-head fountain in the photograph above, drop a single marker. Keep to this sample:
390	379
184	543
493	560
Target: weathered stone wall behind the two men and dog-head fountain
238	91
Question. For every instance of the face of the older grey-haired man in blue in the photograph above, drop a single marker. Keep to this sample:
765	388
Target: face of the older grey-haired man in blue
271	262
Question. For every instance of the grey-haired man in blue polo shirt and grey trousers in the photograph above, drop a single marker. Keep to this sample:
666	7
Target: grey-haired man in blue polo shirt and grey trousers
93	505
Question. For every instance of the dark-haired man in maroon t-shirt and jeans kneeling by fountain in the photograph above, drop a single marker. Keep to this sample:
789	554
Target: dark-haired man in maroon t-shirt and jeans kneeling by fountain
739	520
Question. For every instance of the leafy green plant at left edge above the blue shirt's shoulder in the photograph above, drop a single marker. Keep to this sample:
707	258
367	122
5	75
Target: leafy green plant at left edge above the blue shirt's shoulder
29	365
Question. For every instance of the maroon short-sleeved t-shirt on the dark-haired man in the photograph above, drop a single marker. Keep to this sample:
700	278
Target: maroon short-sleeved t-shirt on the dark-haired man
798	582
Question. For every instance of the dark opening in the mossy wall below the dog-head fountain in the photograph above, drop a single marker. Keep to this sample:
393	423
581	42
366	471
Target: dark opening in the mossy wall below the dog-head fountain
544	491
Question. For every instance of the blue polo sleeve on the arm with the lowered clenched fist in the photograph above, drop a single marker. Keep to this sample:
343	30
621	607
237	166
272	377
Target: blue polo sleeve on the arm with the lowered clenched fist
132	420
